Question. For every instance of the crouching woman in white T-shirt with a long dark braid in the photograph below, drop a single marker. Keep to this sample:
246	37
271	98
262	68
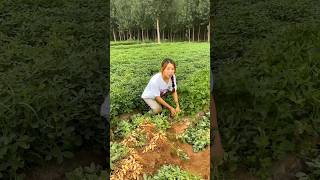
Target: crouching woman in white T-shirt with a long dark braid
159	86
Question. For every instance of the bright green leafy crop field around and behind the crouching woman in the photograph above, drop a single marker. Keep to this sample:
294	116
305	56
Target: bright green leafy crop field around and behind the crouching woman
132	65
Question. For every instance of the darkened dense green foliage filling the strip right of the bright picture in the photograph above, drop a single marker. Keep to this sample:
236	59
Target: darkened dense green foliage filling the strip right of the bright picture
266	79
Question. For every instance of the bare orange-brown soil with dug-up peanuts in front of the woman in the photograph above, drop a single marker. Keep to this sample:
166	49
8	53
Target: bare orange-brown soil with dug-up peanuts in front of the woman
160	151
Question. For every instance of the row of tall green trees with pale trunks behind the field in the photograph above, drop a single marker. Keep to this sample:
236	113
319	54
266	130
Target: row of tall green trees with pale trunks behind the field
169	20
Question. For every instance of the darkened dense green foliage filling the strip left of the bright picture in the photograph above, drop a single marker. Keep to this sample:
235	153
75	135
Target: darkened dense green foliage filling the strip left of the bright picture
51	80
